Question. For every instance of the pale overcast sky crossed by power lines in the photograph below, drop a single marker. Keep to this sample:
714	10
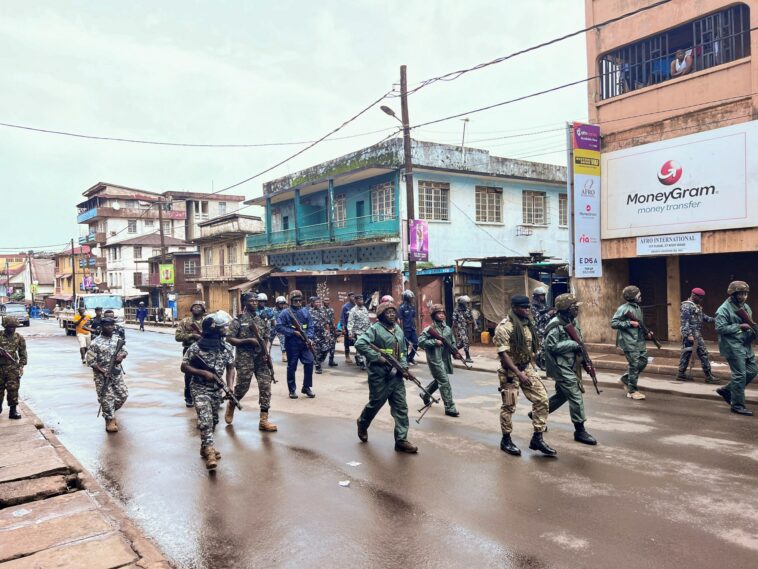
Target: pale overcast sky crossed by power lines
244	72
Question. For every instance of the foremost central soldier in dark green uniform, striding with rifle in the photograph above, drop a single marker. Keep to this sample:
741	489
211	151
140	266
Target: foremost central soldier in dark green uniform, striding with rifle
384	384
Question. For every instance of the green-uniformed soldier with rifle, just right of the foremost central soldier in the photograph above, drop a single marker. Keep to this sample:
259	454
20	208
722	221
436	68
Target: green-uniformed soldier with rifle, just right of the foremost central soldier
439	360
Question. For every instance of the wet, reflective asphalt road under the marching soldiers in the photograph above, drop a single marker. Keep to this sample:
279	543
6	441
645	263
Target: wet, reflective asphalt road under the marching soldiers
672	483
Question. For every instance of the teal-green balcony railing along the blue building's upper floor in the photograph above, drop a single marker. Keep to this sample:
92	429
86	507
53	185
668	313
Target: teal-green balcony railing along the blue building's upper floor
346	231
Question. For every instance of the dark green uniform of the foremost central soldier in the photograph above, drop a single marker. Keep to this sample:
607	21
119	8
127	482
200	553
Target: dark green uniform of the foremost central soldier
384	384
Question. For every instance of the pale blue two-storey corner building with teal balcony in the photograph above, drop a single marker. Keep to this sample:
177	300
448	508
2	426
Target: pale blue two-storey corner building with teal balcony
339	227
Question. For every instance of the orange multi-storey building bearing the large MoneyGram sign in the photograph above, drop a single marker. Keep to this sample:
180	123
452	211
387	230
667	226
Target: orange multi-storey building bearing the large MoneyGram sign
675	103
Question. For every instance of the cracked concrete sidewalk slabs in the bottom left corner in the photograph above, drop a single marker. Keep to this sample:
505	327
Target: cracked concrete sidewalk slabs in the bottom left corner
54	514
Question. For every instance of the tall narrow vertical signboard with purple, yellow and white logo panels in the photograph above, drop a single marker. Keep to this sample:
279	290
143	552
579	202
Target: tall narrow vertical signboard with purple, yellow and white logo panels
585	200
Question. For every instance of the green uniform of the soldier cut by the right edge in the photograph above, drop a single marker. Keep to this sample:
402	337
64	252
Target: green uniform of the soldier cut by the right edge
736	345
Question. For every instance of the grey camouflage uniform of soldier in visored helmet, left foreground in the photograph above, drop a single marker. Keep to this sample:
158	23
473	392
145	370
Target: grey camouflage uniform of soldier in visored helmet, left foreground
208	395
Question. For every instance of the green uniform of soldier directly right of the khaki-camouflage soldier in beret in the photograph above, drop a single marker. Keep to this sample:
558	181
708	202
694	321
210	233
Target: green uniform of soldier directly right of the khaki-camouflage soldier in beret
561	363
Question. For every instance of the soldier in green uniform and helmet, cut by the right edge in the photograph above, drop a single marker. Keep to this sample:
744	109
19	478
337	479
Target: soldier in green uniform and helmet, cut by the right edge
736	345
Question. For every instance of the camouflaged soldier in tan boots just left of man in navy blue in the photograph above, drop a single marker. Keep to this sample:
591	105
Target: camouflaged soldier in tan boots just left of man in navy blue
250	358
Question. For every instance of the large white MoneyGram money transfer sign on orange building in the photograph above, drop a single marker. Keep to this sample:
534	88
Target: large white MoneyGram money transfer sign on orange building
699	182
